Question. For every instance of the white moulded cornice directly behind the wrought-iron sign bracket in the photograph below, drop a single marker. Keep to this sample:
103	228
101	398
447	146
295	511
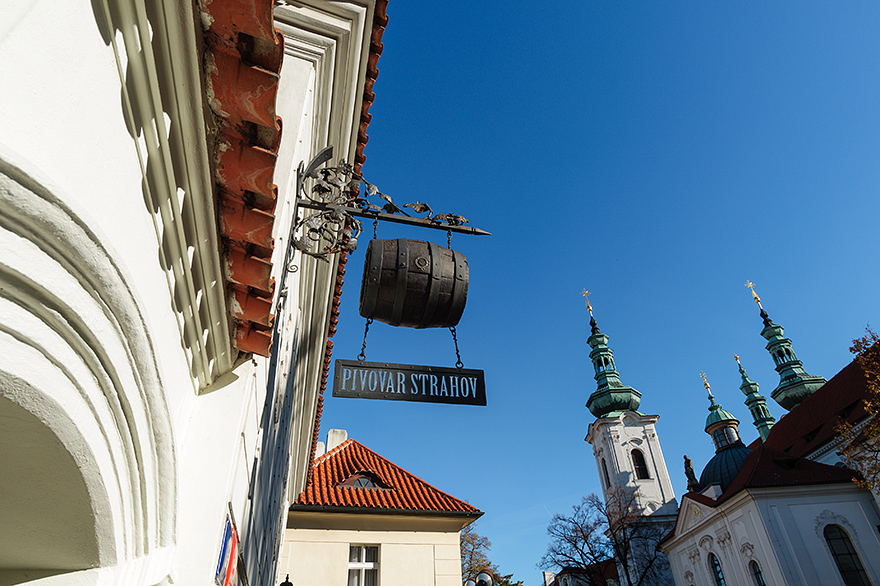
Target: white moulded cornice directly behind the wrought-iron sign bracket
333	40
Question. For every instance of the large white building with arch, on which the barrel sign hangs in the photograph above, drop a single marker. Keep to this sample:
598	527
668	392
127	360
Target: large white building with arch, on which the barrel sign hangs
160	368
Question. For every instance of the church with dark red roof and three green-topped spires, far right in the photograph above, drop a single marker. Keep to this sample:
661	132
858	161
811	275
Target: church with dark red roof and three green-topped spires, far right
784	510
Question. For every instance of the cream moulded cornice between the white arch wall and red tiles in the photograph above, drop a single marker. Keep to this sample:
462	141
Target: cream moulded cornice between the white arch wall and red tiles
157	53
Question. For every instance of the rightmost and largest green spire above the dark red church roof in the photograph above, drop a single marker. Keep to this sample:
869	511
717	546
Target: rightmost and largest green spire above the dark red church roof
795	384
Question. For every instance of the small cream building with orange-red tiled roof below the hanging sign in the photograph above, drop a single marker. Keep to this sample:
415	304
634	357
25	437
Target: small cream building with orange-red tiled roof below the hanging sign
364	520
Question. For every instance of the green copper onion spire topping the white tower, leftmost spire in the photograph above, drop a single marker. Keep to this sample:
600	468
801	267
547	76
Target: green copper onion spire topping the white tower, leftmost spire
611	396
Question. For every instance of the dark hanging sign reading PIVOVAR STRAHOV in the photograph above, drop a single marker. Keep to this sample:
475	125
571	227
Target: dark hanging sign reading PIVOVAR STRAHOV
406	382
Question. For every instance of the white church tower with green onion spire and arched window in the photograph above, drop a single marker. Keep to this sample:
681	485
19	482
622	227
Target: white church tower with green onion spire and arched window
624	440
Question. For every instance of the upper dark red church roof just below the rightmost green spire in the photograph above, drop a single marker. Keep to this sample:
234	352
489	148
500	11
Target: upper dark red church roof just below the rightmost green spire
814	421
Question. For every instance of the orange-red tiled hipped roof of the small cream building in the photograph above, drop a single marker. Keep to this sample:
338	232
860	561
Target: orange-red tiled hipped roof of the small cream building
401	491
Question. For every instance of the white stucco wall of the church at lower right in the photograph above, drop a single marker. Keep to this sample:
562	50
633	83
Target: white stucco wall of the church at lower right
780	529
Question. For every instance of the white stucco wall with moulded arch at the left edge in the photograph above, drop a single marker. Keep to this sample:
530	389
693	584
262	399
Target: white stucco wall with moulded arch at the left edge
65	128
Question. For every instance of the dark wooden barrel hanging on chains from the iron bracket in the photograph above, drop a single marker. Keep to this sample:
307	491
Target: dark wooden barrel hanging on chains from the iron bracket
414	284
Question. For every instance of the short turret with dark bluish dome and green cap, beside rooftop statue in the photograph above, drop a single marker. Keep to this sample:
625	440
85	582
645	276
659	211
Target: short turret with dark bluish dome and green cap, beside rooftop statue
730	453
